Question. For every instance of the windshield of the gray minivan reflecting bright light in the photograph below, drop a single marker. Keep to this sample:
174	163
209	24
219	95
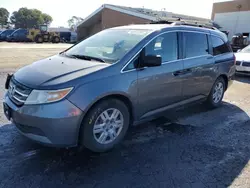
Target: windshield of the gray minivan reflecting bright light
108	45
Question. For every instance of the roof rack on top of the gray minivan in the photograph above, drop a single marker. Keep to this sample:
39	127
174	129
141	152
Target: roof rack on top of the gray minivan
179	21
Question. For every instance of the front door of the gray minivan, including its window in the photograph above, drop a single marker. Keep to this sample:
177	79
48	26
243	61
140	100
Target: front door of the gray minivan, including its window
159	86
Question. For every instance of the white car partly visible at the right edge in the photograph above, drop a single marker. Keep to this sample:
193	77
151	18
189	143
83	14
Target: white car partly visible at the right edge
243	60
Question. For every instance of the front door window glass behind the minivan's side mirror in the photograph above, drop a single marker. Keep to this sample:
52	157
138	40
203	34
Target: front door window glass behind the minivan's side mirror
165	46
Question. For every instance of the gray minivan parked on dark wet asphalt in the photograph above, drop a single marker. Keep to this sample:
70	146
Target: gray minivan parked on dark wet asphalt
92	92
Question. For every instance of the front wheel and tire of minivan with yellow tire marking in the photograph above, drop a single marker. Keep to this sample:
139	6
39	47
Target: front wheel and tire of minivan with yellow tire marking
89	139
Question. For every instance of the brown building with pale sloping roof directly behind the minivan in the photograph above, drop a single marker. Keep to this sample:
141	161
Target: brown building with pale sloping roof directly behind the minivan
108	16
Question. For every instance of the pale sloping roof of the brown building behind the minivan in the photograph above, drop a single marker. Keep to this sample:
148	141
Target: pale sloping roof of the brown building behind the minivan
149	14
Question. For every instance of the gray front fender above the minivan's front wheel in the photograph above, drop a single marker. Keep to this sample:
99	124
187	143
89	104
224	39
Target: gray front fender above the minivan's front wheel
86	95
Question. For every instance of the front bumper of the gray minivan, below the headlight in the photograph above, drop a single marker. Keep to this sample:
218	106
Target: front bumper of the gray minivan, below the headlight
56	124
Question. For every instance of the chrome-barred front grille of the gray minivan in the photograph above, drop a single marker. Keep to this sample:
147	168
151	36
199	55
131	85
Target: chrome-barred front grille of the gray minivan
17	92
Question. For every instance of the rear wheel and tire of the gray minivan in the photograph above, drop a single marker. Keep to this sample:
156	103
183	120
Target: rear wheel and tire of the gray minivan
212	101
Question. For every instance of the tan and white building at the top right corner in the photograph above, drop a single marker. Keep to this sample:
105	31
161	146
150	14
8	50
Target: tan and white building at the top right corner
233	16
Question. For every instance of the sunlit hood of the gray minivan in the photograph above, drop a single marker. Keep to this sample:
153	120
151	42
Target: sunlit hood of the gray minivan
56	70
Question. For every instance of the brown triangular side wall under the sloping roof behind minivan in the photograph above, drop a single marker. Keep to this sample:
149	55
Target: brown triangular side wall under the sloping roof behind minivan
112	18
